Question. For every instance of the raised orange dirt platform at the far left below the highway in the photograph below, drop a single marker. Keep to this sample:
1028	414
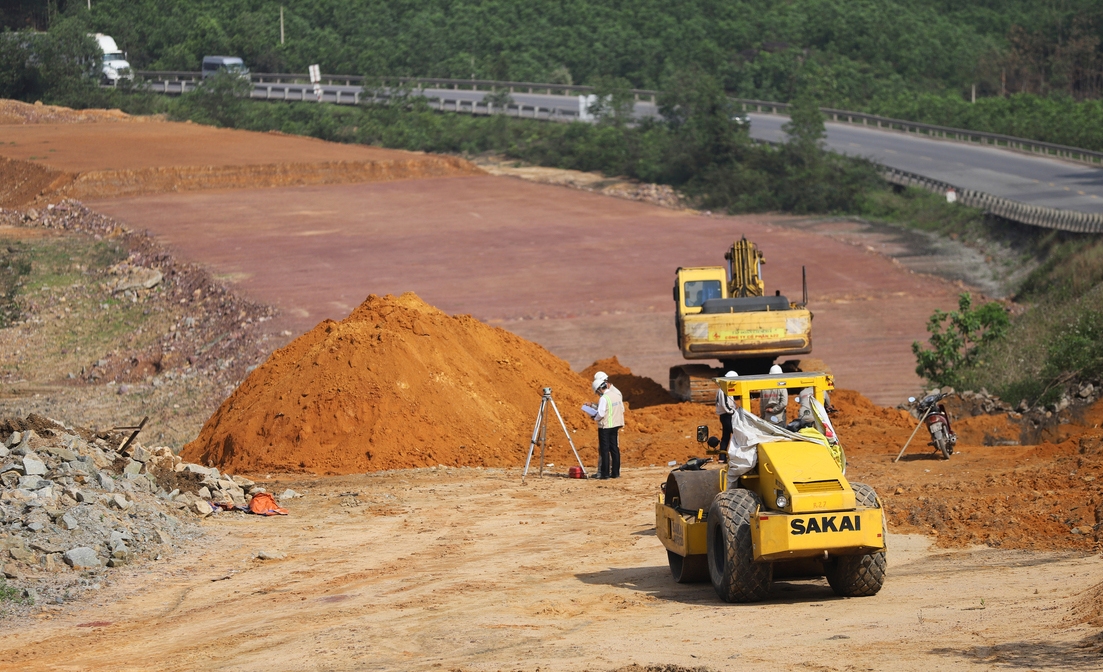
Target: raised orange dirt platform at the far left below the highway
99	155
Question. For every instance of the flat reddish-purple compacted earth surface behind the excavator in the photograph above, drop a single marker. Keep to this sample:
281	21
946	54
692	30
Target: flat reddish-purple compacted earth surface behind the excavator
584	275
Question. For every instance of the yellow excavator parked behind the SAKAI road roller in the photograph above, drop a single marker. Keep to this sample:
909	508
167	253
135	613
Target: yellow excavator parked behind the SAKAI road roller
723	313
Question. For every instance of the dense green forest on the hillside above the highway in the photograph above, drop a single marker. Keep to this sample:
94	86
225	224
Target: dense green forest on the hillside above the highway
859	51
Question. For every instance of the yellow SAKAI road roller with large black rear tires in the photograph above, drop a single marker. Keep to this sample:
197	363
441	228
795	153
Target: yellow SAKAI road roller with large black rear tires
779	505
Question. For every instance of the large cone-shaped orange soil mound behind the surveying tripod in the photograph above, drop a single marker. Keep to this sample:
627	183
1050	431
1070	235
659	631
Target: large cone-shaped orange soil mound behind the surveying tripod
395	385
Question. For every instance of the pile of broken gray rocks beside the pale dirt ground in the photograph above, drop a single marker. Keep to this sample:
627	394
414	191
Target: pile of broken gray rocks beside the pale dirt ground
72	500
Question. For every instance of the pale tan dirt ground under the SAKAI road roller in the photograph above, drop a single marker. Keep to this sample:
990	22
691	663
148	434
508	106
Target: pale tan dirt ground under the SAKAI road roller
470	570
